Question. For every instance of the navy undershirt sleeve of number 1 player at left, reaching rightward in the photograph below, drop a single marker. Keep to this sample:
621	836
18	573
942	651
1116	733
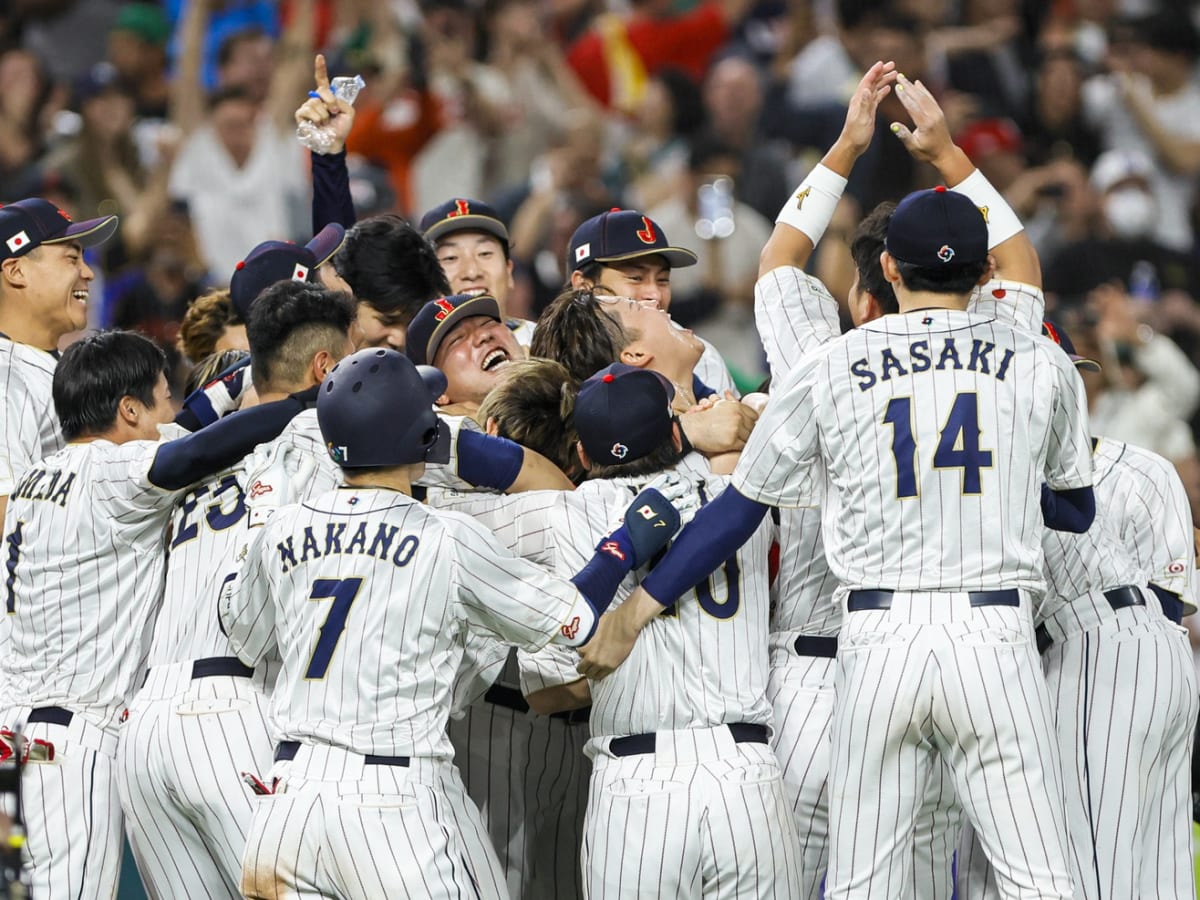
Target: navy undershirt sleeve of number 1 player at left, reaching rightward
218	447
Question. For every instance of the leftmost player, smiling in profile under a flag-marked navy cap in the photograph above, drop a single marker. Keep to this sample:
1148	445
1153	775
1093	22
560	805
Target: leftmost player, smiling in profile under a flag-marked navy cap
44	296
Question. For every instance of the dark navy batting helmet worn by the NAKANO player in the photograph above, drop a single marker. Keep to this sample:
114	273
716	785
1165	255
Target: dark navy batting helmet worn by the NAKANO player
376	410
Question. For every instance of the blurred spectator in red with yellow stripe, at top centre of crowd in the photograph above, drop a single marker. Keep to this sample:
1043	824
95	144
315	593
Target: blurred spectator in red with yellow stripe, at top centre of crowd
617	55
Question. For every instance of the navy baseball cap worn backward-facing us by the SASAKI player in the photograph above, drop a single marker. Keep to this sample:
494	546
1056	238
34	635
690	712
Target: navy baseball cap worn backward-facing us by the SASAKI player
938	227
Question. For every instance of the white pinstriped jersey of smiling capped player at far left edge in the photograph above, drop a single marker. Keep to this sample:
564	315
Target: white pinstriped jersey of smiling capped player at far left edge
28	421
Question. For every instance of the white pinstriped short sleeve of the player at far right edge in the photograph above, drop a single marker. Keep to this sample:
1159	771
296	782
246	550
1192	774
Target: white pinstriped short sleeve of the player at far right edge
1155	525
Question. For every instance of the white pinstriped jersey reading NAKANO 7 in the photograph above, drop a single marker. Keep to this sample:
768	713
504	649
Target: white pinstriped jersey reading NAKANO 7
367	593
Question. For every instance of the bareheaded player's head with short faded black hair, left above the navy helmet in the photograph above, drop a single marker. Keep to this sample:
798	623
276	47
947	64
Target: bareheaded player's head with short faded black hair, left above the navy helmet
289	323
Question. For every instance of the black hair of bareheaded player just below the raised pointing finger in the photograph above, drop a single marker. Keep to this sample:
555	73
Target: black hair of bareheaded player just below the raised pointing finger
392	267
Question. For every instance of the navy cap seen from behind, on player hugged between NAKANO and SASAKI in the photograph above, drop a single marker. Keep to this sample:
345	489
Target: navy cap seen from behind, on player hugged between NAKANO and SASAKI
622	413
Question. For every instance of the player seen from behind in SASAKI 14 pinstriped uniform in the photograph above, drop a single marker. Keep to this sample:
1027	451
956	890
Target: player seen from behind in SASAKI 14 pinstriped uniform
934	608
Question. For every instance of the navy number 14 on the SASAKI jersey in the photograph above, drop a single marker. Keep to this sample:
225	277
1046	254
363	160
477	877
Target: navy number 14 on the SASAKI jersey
958	448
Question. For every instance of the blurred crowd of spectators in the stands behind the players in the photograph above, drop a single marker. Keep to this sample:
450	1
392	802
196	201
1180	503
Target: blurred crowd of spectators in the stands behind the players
179	117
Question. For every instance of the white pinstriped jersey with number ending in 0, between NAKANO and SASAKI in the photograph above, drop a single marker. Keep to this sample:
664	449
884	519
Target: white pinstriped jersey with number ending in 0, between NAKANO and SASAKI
715	644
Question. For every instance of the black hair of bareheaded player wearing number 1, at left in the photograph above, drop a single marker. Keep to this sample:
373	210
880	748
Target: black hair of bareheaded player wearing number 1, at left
97	373
